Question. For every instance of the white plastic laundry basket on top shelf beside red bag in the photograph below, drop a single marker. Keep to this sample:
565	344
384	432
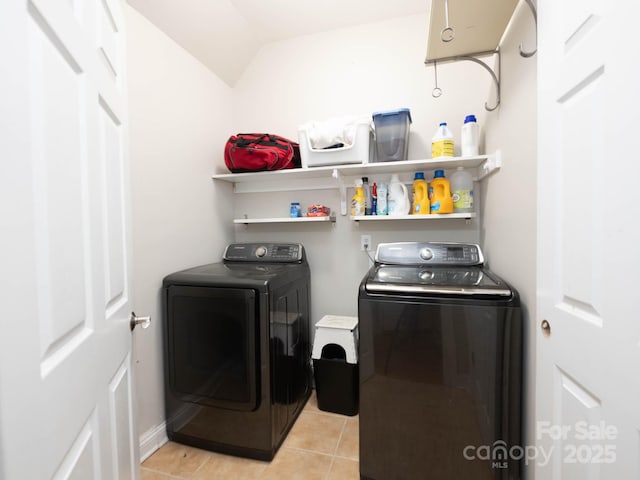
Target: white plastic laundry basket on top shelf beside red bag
360	152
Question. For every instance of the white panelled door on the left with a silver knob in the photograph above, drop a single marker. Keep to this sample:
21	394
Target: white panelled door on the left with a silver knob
66	405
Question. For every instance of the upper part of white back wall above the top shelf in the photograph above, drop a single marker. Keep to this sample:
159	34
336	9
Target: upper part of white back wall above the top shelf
358	70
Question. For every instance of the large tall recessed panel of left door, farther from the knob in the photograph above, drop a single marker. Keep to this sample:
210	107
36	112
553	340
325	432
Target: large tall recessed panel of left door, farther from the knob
57	116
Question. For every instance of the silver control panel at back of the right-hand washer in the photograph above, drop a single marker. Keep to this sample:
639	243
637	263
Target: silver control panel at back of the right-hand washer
429	253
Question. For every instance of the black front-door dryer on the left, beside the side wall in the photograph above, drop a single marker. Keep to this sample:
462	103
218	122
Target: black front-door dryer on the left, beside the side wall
236	349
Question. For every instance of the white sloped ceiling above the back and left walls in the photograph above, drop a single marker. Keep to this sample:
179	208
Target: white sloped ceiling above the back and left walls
226	34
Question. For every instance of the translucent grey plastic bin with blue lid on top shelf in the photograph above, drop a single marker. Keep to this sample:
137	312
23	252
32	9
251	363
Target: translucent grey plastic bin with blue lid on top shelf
392	134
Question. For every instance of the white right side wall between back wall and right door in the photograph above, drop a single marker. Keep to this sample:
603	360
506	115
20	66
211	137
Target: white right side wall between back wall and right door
508	231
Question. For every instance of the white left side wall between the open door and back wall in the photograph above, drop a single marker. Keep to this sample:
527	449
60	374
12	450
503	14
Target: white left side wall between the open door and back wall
179	112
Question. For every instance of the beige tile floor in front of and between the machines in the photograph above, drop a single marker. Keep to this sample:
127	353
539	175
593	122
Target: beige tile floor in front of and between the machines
305	454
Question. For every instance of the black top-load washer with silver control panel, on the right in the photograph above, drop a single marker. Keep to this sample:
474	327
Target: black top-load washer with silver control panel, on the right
440	366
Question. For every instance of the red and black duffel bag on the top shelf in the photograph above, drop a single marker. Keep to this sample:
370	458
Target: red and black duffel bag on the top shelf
255	152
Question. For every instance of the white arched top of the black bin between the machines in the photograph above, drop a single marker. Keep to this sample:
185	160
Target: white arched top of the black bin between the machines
337	330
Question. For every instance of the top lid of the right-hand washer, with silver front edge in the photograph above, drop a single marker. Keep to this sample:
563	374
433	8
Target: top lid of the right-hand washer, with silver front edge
435	280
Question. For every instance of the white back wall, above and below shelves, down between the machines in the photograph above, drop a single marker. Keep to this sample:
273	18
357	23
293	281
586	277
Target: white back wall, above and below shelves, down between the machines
356	70
